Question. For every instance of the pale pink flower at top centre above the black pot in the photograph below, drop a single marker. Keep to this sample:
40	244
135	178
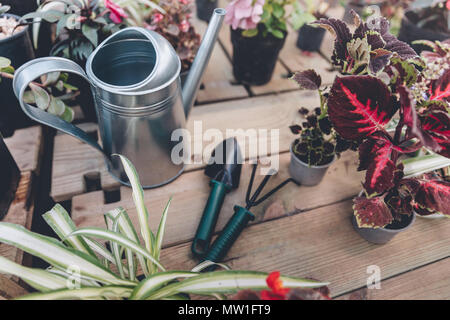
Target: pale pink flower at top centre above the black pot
244	14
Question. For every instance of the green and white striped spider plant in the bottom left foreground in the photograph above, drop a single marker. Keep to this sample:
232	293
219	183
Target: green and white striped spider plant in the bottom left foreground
78	250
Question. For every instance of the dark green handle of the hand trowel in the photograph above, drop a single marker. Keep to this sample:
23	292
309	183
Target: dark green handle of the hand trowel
208	222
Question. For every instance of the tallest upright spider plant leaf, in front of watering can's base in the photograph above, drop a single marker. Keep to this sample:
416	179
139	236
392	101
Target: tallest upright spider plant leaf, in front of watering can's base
138	198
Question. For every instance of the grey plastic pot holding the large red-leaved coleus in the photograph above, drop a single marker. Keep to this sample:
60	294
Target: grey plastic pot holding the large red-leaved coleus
384	235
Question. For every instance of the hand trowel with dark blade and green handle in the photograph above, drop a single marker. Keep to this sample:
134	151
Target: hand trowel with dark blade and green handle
224	169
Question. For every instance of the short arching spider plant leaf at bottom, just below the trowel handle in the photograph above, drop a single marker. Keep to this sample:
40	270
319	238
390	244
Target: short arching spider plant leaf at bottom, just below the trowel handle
156	281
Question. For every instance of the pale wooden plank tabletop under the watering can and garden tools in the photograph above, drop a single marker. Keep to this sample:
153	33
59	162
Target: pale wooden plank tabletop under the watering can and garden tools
301	231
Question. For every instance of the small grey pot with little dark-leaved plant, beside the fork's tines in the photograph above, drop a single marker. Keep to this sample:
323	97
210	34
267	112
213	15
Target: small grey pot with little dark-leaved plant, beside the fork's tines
305	174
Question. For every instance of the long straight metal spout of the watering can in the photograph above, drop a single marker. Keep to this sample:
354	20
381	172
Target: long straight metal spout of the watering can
194	78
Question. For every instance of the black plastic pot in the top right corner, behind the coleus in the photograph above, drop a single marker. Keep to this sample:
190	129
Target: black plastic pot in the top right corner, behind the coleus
410	32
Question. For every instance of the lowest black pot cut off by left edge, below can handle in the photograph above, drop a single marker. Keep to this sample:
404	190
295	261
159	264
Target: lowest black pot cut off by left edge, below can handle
9	178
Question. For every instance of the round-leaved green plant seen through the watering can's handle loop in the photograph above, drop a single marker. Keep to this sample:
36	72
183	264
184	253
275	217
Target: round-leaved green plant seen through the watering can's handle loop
50	93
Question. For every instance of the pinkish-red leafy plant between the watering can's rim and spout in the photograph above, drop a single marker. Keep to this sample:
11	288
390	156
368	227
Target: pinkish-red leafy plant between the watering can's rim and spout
174	24
